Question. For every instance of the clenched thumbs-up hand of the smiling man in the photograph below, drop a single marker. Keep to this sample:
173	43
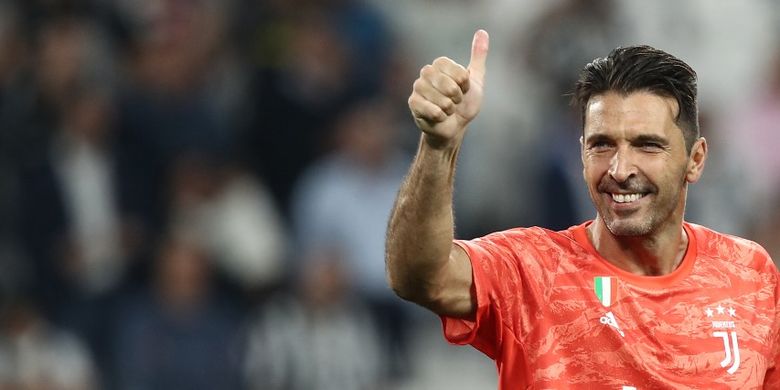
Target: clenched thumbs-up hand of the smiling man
447	96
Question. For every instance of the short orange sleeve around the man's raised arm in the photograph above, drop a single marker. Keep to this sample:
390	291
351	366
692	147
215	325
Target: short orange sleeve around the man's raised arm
505	293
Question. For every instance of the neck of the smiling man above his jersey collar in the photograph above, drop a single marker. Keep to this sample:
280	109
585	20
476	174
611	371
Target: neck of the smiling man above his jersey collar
658	253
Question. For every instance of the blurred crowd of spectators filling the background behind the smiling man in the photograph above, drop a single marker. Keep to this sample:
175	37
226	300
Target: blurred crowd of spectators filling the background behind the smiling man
194	193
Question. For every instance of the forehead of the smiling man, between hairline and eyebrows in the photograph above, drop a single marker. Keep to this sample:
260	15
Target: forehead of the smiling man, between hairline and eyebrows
640	112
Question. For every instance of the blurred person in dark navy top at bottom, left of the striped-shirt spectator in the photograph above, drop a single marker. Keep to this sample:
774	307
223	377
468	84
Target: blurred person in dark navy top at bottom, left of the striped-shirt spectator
179	333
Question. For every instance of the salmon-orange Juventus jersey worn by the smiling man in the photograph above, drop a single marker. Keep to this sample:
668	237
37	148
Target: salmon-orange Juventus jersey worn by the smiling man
554	314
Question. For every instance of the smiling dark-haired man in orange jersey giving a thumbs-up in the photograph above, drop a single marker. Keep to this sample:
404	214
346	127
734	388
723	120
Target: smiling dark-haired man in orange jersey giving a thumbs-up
634	299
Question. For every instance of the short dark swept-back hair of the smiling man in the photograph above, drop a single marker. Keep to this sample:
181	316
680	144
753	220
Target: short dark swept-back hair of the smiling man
643	68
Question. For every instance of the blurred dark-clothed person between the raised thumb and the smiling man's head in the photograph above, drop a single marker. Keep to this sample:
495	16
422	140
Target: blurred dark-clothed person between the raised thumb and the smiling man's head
560	41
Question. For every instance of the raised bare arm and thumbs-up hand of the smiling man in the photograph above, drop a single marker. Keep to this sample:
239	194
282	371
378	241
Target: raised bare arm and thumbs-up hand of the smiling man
423	265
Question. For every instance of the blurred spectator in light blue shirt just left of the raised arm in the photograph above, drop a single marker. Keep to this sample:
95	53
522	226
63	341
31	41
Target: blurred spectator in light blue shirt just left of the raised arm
342	205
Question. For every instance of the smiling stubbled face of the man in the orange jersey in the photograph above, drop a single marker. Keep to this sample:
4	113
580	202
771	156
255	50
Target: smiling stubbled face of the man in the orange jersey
634	161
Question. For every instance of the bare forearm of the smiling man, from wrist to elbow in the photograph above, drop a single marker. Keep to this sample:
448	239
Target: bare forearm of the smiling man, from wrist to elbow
421	227
